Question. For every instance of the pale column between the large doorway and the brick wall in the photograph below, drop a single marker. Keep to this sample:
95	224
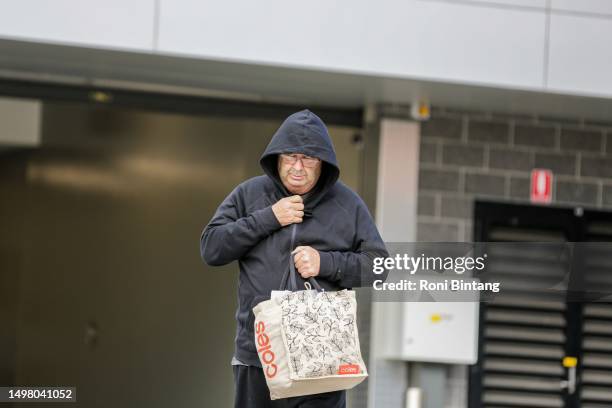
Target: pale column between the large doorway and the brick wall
396	212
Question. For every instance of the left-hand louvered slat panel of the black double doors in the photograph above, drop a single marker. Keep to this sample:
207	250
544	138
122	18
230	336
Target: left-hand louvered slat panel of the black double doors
524	330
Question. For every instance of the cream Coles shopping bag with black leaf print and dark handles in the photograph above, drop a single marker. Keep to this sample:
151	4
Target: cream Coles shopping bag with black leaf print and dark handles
307	340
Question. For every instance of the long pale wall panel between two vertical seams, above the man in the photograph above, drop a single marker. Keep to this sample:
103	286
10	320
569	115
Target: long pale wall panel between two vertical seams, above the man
414	38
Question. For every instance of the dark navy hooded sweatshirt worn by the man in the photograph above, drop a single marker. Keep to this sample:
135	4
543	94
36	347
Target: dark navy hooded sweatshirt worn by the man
336	223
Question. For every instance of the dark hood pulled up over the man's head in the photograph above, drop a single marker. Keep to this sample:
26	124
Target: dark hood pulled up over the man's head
303	133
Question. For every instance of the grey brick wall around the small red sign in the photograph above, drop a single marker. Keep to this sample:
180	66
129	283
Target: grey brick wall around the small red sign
467	155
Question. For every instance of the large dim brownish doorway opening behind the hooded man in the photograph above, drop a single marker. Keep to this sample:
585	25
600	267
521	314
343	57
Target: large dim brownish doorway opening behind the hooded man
101	282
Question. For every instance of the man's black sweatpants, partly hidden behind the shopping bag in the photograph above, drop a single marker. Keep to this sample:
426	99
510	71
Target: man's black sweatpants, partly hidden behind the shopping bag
251	391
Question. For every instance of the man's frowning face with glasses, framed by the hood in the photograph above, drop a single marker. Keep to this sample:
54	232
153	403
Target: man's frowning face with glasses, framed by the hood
299	173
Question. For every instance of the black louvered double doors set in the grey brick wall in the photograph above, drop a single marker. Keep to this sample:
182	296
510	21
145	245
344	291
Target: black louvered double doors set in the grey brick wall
523	344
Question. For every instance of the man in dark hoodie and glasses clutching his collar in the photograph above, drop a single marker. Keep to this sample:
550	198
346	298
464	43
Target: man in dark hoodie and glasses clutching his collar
297	212
